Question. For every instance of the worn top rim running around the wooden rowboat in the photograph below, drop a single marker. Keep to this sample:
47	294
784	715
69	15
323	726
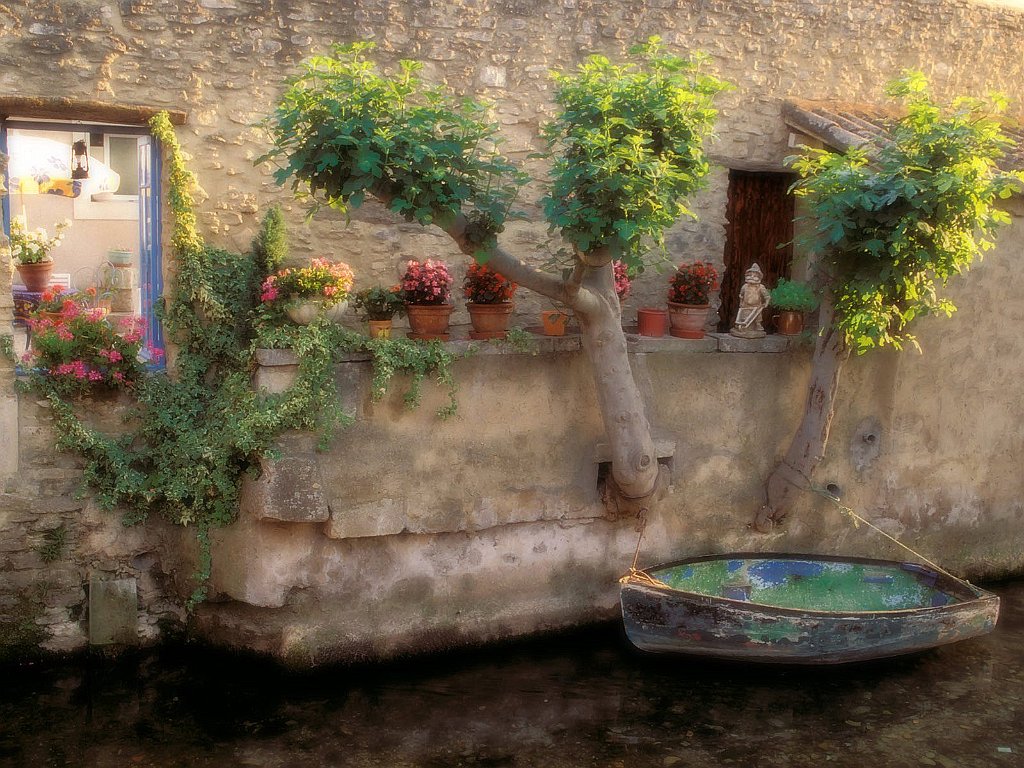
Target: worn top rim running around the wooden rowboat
979	595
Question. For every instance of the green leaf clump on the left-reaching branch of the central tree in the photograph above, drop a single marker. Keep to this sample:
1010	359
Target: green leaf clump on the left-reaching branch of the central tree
343	131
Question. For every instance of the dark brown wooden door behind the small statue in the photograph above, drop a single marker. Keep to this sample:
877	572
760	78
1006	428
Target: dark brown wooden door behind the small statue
760	230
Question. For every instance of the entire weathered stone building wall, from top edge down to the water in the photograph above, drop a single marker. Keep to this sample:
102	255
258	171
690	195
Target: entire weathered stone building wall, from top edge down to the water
428	544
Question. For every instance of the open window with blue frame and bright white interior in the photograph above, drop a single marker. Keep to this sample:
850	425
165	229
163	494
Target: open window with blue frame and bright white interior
102	185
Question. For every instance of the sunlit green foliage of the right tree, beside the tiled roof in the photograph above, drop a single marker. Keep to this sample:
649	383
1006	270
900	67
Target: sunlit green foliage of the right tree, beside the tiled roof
893	223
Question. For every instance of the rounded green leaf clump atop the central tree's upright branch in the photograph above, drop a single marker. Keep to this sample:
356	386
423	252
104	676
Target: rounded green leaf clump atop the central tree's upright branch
628	148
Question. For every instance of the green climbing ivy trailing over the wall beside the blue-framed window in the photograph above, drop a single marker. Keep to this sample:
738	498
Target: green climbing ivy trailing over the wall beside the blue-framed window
197	432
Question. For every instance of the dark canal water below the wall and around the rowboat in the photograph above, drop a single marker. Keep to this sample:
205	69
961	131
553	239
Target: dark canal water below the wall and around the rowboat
580	701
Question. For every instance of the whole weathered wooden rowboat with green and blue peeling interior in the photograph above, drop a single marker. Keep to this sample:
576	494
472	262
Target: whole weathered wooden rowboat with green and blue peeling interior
789	609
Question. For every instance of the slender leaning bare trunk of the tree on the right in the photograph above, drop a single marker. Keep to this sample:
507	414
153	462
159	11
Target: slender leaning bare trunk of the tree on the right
809	444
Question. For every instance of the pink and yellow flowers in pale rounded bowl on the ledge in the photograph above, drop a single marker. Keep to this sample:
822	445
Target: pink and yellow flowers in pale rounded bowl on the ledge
320	290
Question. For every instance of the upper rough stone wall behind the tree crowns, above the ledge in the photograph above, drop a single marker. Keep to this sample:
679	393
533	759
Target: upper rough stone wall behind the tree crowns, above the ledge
225	61
